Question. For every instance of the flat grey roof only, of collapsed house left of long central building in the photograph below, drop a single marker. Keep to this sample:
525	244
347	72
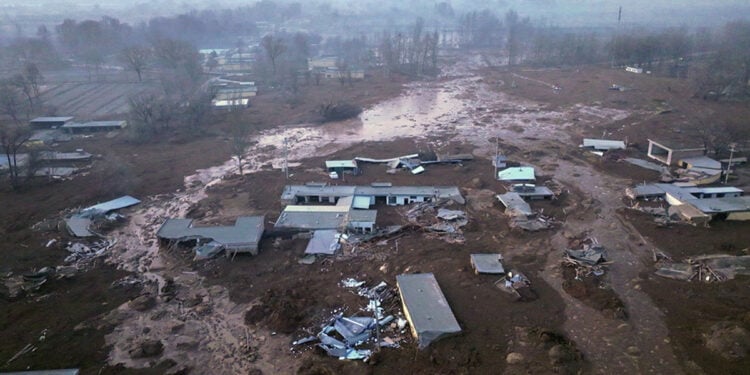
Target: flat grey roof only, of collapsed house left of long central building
246	231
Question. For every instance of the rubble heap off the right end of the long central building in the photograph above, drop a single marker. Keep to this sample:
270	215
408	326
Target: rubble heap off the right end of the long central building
434	218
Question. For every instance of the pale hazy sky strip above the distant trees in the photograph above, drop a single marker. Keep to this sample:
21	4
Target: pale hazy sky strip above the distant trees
558	12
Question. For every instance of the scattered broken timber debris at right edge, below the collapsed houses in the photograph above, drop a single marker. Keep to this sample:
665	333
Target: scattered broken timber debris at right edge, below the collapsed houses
704	268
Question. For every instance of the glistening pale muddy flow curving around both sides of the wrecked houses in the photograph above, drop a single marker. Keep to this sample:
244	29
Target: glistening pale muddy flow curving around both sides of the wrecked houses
212	338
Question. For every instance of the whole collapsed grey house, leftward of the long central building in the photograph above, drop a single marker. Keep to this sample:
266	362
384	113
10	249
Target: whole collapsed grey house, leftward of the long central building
242	237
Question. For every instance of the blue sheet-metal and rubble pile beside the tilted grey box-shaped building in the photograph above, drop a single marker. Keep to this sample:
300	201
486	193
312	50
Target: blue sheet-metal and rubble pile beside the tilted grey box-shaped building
357	337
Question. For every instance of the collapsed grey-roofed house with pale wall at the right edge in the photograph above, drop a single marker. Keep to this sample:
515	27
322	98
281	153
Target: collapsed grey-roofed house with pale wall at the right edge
697	204
